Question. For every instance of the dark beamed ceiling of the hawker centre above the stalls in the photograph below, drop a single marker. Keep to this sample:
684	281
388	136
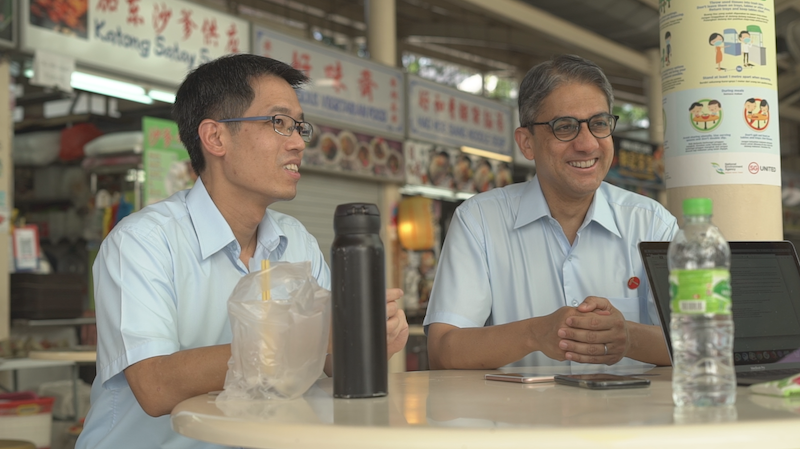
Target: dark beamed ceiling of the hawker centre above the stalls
510	36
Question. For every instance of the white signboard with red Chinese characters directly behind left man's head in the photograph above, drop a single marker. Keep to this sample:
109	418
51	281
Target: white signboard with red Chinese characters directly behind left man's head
344	89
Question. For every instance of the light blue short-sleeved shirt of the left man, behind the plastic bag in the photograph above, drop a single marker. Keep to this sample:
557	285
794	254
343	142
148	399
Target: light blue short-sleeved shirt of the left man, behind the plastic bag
162	280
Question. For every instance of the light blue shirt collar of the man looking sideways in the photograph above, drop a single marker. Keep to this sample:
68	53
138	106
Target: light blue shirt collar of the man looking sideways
214	233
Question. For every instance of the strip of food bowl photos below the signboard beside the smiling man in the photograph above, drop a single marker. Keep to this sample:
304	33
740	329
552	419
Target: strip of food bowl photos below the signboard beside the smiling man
449	167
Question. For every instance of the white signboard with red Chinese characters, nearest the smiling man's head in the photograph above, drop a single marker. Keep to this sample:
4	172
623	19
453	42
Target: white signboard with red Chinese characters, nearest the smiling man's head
447	116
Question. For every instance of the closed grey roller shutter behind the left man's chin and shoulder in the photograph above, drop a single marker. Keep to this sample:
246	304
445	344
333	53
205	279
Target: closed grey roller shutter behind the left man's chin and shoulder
318	195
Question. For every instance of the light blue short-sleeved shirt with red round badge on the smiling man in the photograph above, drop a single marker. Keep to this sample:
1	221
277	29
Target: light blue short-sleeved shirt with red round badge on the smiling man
505	259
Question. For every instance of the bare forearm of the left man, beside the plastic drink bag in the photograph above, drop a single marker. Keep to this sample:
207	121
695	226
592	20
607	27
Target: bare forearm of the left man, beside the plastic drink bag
160	383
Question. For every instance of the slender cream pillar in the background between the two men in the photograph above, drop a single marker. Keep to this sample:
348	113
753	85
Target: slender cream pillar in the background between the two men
382	44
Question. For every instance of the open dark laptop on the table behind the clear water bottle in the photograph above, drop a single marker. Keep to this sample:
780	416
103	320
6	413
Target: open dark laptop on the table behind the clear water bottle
765	283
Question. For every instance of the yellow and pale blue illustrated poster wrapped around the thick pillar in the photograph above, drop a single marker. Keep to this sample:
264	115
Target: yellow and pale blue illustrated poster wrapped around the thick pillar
719	81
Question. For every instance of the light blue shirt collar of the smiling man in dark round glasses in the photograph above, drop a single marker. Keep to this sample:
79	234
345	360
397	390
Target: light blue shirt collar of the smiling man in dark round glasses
533	206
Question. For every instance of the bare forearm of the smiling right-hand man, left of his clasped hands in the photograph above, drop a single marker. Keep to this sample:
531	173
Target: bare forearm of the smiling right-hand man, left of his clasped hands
491	347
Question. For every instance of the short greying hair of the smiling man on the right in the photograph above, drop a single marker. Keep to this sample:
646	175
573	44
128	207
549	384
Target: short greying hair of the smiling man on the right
544	78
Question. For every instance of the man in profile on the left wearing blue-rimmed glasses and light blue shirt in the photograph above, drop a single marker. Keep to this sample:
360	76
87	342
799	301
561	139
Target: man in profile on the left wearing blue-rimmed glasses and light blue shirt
164	274
